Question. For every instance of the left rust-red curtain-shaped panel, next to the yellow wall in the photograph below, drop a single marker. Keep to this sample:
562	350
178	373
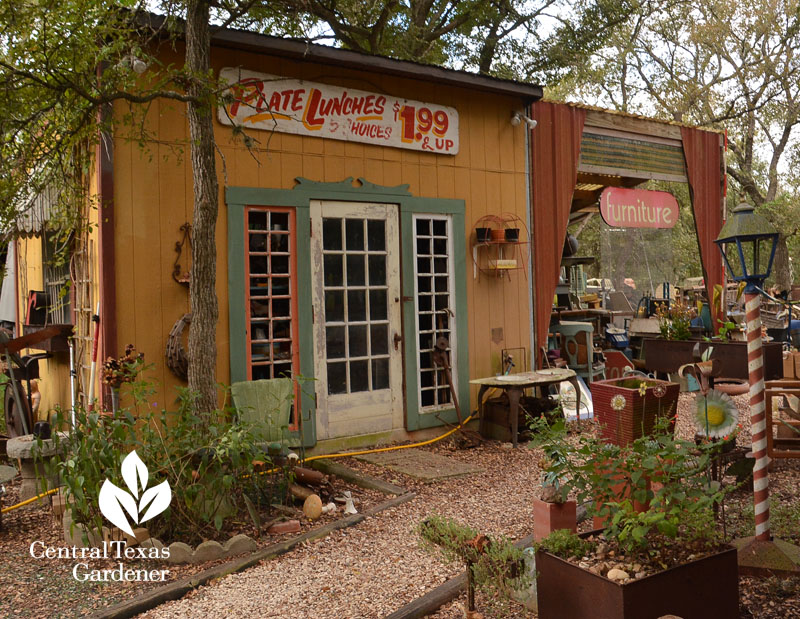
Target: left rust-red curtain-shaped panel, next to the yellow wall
555	148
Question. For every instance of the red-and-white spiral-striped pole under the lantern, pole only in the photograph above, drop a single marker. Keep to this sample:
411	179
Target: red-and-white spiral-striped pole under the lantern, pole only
755	366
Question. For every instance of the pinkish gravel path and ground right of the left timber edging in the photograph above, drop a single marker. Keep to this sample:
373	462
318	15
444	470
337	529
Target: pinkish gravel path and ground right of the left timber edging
376	567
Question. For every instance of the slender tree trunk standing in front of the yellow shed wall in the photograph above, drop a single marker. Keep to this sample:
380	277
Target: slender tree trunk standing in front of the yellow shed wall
205	311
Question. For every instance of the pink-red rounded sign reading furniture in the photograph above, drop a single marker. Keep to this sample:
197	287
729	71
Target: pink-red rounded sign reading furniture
638	208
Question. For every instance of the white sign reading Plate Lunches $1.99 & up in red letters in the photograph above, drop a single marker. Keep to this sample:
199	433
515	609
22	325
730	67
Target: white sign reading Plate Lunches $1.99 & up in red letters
286	105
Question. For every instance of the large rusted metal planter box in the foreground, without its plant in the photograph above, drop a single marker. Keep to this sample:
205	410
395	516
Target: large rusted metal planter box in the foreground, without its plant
706	588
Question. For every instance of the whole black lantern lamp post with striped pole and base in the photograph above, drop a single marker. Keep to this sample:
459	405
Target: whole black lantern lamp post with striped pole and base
747	242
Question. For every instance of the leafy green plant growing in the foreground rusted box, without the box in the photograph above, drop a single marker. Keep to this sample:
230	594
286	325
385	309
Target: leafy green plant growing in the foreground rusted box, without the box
613	478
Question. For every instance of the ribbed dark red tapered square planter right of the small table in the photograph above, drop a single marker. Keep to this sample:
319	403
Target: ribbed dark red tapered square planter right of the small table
638	416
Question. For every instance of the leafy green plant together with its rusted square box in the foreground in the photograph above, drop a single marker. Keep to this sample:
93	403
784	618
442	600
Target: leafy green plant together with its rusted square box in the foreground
668	559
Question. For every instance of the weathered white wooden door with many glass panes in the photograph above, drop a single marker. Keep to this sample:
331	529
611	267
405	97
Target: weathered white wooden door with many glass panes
357	329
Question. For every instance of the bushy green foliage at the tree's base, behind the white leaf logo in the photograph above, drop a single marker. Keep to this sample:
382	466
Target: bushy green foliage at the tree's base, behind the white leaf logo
208	461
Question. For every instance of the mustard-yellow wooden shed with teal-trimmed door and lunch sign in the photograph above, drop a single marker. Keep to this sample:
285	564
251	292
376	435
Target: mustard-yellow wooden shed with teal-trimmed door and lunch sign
350	236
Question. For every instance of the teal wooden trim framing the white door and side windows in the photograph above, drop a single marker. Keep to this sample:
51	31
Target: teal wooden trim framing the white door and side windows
237	198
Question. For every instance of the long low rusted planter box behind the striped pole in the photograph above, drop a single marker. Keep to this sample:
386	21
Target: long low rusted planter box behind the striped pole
668	355
